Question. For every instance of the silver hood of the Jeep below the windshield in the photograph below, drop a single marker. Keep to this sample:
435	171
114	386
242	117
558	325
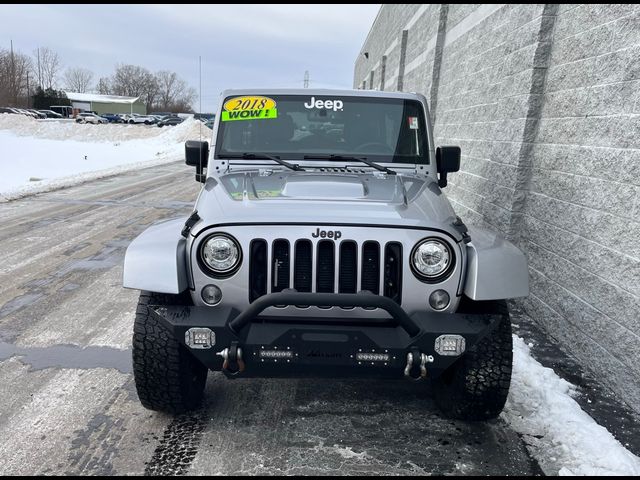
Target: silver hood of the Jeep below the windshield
329	196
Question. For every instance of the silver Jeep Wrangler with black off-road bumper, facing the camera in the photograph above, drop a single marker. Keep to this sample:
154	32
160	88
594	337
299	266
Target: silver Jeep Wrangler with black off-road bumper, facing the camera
322	244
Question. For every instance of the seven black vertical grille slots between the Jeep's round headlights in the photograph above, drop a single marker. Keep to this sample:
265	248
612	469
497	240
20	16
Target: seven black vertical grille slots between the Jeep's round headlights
325	267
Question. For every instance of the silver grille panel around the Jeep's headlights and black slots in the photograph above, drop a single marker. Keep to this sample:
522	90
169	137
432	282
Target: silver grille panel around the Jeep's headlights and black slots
414	292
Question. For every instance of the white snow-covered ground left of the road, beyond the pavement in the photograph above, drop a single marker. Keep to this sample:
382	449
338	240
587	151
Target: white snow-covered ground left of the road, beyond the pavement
37	156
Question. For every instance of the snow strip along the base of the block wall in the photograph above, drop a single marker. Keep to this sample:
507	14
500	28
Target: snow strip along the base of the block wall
562	437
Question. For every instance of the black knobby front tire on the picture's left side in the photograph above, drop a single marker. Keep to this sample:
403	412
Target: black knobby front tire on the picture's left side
167	377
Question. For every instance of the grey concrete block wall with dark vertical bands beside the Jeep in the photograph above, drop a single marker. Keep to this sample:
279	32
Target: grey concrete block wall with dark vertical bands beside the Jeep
545	102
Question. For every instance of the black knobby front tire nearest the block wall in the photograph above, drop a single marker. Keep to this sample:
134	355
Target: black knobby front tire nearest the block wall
477	385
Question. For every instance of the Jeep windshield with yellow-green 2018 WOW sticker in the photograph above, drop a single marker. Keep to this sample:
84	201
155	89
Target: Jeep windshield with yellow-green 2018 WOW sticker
294	126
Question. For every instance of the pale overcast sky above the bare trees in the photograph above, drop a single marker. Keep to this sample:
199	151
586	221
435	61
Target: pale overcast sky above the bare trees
240	45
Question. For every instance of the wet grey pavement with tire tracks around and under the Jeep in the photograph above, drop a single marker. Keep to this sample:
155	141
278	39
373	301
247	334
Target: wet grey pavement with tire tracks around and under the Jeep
69	404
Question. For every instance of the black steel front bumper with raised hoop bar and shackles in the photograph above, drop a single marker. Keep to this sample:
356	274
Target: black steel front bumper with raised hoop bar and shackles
335	347
